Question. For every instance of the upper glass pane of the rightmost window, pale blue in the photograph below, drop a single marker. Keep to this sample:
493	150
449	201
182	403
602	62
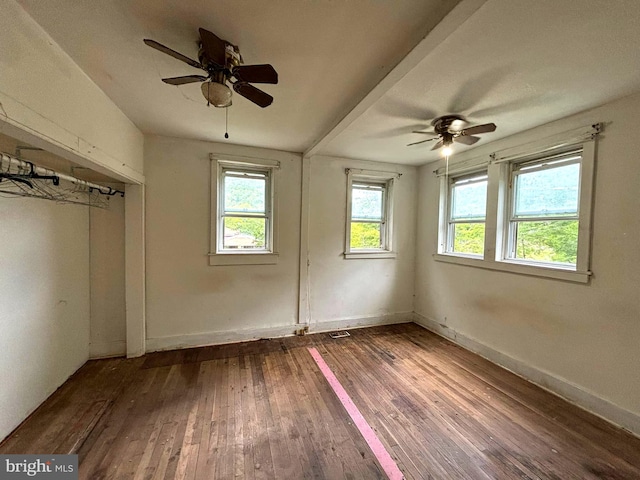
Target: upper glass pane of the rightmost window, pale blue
548	192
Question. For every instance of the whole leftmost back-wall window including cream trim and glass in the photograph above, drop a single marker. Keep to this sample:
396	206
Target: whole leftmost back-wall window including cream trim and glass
243	211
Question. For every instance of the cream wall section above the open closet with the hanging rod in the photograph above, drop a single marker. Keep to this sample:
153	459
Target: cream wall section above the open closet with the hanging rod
45	96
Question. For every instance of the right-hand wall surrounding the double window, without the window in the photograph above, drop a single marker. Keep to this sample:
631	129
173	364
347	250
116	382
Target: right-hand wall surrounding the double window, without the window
580	340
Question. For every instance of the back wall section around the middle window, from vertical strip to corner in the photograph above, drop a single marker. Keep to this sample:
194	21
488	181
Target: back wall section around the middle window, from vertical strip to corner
357	291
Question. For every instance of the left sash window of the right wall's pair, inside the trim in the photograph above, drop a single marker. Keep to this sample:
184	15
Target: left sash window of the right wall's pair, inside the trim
467	214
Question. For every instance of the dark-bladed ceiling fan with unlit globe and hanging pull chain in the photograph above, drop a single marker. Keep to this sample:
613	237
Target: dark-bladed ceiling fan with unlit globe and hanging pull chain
223	63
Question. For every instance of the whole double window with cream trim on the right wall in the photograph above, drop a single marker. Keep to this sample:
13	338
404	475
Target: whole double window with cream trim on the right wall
521	211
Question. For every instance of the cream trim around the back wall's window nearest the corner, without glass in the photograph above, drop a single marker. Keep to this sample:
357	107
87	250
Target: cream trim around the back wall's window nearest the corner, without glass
371	176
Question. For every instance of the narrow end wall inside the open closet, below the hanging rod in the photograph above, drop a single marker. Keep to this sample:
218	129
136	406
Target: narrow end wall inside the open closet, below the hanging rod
108	316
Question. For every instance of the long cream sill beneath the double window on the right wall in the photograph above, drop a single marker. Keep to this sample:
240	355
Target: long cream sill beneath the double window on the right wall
516	267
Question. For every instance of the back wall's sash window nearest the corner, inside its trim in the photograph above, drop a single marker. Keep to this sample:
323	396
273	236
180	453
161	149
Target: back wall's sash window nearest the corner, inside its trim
368	226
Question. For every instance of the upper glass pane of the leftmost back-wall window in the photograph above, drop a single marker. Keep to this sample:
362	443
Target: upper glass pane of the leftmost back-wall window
245	194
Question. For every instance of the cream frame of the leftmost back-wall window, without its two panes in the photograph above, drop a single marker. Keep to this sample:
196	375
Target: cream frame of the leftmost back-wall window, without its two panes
218	255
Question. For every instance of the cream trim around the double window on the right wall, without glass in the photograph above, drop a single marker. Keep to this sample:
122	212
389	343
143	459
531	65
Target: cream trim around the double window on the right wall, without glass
496	220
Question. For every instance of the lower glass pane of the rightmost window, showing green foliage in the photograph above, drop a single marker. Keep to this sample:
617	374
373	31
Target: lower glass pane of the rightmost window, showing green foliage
552	241
